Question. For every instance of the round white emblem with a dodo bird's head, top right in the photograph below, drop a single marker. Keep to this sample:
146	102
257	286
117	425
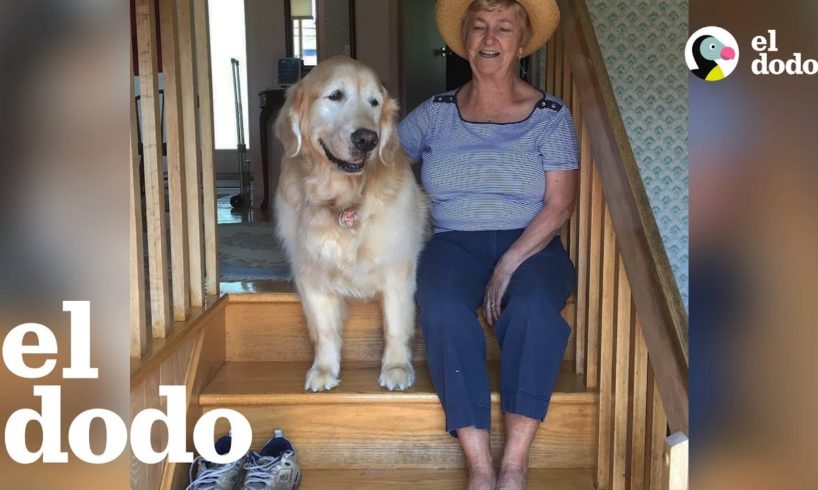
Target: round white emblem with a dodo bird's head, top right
711	53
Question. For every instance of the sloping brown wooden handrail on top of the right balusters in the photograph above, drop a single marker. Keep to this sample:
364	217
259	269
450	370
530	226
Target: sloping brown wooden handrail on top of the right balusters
655	294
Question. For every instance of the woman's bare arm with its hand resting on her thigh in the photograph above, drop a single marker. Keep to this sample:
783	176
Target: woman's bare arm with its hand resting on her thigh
559	199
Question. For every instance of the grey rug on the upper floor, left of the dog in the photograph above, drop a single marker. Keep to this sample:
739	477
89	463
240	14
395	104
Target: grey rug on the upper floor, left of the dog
251	252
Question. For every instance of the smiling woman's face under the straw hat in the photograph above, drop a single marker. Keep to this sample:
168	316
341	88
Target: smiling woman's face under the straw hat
493	41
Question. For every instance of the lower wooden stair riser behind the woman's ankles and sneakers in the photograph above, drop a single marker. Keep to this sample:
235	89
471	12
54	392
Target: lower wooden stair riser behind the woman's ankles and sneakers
410	435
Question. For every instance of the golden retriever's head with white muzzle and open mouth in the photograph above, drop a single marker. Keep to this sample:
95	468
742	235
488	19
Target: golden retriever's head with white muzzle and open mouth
341	114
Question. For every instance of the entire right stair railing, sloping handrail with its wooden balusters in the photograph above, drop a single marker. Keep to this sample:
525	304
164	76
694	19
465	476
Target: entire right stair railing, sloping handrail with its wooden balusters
630	324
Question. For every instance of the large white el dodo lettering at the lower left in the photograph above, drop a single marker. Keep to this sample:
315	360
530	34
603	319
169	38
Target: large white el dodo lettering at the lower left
16	356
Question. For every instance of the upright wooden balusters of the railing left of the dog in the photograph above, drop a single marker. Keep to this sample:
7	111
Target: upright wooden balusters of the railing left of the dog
188	122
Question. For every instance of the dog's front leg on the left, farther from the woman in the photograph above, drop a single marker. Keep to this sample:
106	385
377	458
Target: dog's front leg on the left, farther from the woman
325	314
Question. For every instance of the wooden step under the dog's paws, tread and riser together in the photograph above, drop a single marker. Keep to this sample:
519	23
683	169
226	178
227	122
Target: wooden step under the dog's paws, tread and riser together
360	425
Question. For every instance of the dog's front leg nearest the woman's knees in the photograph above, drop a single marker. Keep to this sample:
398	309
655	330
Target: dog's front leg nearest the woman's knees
399	328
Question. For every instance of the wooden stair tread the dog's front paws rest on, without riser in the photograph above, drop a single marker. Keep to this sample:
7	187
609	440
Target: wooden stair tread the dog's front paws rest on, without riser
275	382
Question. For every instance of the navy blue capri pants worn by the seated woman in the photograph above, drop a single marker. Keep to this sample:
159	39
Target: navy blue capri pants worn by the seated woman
454	270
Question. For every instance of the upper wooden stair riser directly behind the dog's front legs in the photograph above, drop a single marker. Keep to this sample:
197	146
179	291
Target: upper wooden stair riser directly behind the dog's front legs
278	332
